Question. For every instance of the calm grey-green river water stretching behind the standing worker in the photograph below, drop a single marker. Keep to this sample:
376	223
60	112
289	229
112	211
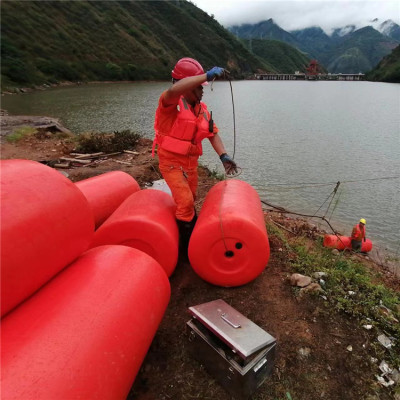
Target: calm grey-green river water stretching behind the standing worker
294	140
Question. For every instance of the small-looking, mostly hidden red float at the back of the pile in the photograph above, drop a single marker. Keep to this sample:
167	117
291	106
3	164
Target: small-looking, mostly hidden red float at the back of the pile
106	192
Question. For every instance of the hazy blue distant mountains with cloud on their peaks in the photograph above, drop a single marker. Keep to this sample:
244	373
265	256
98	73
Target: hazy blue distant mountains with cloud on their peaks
346	50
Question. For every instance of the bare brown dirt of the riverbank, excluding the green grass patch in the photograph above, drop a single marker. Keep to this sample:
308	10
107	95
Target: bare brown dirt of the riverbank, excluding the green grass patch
313	360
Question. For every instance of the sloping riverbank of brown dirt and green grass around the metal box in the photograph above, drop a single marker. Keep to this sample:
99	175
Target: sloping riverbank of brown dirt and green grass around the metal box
324	349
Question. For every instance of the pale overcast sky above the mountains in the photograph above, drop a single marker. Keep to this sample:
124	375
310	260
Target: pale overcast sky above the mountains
298	14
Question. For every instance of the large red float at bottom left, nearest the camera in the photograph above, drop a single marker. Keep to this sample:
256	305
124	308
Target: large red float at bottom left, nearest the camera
85	334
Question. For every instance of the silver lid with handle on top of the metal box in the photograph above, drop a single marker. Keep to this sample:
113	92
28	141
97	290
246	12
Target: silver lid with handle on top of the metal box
238	332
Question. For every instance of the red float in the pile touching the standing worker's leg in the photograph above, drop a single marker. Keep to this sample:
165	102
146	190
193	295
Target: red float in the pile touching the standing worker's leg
145	221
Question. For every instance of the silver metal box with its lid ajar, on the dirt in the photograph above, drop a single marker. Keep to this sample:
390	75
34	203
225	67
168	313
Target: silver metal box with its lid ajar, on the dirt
235	351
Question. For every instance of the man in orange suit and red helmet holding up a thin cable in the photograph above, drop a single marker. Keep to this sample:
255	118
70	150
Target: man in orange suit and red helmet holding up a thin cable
182	121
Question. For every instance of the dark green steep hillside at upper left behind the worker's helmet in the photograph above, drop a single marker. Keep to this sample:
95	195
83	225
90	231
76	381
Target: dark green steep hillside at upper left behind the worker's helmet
49	41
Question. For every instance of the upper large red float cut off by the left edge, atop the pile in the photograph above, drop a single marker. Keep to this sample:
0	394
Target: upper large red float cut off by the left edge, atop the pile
46	223
